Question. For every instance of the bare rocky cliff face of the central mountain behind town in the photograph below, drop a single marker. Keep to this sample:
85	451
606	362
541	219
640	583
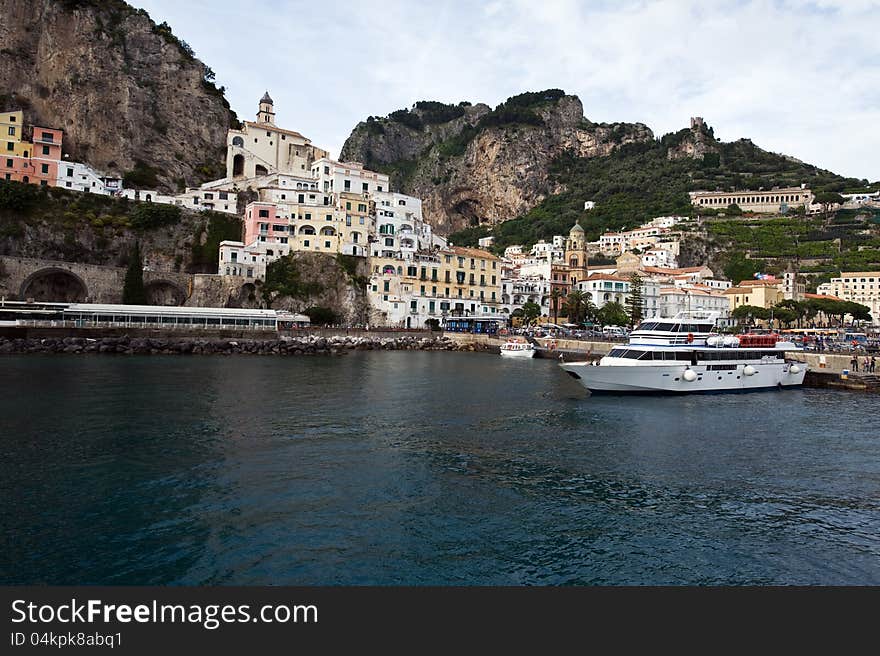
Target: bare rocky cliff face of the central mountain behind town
471	164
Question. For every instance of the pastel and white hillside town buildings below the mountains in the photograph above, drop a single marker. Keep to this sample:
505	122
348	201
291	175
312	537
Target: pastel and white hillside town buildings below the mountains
293	197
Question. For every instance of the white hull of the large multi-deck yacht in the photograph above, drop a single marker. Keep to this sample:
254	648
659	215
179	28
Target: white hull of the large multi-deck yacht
671	380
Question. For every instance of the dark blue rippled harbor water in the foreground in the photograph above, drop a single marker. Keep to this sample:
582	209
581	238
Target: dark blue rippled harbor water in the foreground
398	468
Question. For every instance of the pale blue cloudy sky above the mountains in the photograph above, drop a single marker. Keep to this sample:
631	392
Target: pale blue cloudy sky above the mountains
796	77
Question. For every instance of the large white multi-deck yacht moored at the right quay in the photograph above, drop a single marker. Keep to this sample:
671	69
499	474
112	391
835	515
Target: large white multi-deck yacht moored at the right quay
685	354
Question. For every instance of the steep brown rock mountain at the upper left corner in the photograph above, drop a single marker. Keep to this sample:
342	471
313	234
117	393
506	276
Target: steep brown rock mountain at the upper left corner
130	96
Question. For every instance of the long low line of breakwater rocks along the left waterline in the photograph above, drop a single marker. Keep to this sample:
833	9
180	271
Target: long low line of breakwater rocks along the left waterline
300	345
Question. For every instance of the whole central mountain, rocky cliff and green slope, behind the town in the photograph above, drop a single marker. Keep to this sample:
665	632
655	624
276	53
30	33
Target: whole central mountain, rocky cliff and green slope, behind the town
524	170
